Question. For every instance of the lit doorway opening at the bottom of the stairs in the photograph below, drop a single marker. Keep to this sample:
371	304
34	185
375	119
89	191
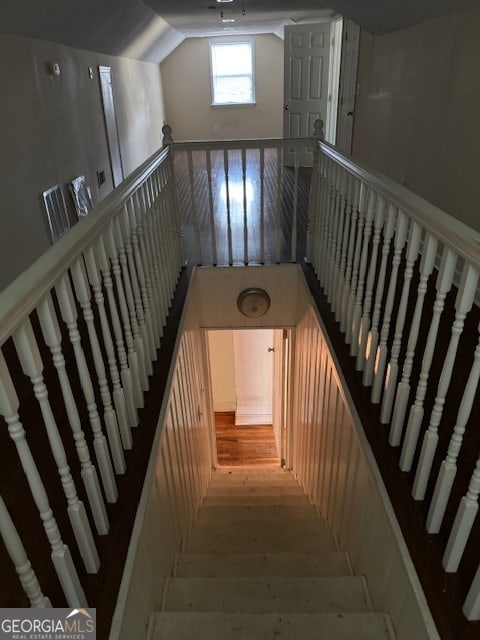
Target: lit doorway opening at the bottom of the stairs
247	379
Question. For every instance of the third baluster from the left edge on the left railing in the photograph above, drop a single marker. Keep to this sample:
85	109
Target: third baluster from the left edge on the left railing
32	366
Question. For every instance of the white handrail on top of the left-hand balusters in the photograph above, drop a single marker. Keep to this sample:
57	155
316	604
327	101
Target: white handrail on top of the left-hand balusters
20	297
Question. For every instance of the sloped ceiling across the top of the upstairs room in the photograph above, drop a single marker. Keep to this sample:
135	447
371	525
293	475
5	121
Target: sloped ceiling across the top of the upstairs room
151	29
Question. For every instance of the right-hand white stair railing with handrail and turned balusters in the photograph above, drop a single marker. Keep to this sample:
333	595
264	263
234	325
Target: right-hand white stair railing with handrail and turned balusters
400	273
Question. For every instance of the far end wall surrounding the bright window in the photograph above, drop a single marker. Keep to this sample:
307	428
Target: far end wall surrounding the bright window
186	81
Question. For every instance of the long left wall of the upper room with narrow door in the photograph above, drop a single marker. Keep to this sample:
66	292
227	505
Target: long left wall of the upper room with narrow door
52	130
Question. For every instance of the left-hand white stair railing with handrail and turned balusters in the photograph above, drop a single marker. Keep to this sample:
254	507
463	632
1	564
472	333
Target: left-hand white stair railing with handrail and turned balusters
82	325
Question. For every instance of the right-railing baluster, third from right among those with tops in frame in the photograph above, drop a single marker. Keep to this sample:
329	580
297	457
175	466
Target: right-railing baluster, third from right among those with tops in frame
429	253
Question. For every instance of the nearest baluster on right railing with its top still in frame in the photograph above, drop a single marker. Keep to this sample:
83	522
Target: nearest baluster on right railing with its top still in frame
463	304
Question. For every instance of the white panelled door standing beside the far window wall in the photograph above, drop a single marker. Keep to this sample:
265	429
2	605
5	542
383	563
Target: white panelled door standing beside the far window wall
307	49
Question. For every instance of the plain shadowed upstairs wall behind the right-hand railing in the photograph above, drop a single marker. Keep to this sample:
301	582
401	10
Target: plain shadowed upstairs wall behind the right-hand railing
417	110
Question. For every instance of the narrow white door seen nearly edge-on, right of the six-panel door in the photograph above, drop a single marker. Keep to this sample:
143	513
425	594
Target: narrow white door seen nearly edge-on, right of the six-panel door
348	85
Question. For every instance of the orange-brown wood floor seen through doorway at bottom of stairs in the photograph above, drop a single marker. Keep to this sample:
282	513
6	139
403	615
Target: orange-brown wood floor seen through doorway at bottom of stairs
244	445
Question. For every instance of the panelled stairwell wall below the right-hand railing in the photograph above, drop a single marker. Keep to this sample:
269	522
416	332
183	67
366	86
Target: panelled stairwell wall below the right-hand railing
332	459
